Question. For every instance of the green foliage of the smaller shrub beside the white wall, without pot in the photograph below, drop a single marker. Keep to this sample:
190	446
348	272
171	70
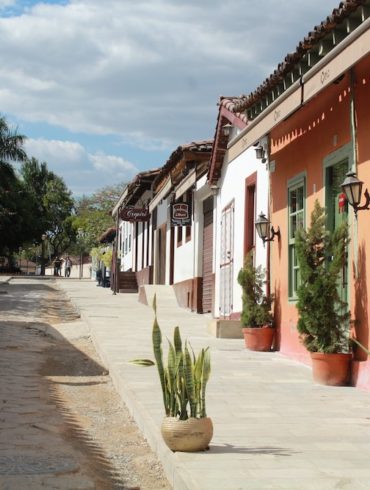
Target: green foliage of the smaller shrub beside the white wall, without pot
256	305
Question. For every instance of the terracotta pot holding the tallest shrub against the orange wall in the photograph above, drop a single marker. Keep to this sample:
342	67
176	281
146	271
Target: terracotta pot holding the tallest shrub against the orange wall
331	369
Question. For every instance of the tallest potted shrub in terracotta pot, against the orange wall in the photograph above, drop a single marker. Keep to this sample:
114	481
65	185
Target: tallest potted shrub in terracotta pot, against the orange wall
323	316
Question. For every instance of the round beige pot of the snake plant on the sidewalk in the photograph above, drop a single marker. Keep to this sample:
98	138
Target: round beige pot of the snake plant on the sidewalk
187	435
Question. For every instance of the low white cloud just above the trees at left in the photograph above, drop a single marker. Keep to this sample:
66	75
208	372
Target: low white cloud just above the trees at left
82	171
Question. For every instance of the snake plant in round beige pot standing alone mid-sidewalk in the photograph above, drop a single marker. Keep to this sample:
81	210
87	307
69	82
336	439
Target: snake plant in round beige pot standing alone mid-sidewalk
186	426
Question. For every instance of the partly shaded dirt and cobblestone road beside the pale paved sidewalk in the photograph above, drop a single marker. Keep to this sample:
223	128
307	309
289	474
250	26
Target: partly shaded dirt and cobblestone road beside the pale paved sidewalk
62	425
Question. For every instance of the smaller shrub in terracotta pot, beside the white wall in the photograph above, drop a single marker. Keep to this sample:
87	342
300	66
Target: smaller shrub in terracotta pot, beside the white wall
256	315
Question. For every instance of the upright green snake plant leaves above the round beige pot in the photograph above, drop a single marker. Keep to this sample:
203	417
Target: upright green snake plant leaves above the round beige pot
184	378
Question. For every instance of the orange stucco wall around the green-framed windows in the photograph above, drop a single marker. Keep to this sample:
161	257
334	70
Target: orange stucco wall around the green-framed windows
300	144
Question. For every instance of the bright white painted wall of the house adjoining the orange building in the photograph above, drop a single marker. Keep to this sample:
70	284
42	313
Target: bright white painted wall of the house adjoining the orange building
232	187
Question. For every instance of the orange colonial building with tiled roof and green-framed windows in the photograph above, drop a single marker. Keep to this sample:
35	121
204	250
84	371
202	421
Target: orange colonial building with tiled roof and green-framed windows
314	112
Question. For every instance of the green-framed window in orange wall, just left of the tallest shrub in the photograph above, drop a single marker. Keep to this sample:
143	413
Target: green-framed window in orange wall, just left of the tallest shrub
296	210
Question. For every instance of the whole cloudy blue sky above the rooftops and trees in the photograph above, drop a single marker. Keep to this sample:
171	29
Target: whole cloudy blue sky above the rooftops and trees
106	89
